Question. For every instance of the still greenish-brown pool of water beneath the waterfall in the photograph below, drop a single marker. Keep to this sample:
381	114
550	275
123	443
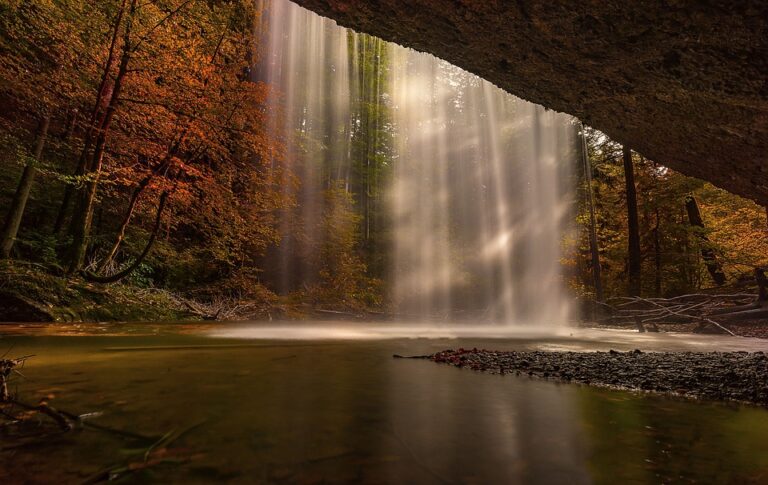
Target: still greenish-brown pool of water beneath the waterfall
327	403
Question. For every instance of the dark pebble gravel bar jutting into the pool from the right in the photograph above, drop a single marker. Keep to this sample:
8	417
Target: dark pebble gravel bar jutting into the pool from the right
732	376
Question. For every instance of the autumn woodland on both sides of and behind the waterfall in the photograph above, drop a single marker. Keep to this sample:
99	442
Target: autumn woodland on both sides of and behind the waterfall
137	159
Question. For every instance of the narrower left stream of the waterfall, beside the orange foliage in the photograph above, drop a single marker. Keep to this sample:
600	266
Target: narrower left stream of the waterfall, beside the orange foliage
305	59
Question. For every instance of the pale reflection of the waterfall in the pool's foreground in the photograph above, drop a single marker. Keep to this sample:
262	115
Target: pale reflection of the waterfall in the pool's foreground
468	428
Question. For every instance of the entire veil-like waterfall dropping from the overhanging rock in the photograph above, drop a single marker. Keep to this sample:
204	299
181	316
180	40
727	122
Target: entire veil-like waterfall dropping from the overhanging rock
475	182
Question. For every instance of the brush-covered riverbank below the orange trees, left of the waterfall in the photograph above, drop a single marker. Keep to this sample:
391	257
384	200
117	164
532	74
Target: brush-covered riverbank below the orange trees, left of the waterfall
32	293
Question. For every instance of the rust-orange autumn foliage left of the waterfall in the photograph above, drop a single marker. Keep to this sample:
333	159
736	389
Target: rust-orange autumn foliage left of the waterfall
147	101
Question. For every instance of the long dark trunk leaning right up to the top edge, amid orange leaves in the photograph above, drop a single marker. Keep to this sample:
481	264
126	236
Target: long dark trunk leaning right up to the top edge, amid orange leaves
83	214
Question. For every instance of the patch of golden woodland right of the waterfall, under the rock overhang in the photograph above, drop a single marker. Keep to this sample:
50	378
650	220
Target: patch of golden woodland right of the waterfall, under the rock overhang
675	257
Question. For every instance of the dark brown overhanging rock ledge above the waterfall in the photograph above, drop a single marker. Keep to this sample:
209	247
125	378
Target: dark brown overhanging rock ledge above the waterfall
683	82
